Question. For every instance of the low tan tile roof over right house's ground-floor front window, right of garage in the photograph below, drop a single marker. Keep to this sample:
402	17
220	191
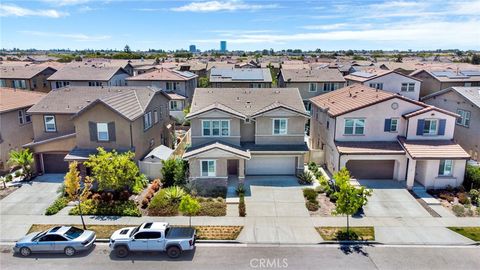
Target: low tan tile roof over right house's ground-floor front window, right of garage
433	149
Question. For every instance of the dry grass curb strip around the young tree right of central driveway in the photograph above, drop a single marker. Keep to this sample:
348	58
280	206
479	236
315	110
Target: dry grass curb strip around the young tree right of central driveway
339	233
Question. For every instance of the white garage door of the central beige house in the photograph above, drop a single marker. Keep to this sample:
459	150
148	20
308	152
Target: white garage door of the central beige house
271	166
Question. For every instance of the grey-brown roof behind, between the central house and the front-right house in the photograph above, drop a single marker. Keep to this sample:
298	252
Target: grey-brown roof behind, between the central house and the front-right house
316	75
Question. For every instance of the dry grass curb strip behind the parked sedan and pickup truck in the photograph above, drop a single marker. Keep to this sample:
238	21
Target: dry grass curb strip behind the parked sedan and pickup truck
203	232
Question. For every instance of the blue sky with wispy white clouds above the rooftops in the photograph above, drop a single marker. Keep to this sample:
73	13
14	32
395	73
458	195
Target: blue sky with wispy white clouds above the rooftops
244	24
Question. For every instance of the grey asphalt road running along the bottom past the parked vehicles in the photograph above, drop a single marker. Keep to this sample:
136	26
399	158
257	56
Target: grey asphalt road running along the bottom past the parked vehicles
260	257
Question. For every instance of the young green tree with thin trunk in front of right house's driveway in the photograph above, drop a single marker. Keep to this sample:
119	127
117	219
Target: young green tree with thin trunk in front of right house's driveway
349	198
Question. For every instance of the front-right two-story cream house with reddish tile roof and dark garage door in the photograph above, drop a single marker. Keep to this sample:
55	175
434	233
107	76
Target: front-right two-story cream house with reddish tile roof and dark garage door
380	135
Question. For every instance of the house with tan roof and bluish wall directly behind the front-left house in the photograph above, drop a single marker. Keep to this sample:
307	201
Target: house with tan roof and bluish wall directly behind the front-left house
91	75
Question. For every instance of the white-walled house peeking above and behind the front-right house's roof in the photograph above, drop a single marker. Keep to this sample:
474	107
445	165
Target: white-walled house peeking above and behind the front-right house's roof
387	80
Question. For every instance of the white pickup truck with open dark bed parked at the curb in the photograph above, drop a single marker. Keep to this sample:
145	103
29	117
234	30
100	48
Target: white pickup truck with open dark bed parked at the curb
153	236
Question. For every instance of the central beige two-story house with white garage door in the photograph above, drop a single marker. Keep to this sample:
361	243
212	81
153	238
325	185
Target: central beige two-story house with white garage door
244	131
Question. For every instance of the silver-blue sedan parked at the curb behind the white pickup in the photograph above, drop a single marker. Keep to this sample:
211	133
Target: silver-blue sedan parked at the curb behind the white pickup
61	239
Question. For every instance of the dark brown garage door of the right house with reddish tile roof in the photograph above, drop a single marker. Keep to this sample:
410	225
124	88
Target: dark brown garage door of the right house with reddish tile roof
371	169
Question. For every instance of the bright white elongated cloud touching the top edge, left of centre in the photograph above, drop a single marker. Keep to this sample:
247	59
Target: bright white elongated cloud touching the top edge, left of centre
230	5
